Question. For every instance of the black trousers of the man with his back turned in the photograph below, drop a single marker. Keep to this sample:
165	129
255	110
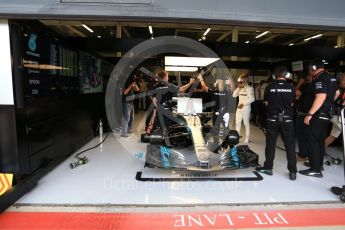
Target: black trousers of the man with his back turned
286	130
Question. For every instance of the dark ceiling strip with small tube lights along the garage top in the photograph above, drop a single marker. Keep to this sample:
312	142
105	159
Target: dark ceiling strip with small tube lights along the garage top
276	36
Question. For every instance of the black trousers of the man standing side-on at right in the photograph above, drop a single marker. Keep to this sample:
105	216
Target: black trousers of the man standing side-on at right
316	136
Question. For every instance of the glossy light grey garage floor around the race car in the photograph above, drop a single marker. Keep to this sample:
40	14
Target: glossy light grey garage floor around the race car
110	178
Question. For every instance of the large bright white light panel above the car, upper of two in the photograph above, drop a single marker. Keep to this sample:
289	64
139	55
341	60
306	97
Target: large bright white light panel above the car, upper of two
189	61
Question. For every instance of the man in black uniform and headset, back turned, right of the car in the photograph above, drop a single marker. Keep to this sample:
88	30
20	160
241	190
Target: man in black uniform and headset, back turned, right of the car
279	97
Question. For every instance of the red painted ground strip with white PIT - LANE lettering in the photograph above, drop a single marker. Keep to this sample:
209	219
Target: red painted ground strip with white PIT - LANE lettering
179	220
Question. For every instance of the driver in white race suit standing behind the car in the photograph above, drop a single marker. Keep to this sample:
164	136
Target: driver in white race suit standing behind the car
246	97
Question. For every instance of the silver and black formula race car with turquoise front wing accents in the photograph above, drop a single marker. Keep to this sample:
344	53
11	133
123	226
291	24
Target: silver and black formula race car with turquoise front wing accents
189	142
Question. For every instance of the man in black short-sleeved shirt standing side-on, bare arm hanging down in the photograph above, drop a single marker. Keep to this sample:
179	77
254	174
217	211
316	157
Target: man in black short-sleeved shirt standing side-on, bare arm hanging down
318	116
